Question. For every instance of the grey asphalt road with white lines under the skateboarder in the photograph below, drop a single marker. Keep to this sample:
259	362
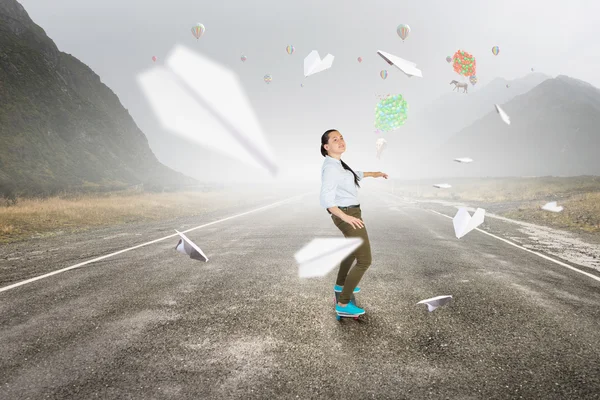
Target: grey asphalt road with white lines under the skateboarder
151	323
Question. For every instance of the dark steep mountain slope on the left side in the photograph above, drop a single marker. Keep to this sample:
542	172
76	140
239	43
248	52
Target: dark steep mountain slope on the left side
61	128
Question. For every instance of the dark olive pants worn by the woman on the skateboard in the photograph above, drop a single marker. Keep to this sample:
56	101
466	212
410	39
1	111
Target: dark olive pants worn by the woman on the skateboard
347	278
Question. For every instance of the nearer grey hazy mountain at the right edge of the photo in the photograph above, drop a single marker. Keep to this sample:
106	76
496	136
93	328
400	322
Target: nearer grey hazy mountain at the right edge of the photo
554	131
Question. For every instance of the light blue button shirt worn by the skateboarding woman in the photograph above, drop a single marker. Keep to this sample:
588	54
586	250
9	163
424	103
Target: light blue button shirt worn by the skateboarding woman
337	184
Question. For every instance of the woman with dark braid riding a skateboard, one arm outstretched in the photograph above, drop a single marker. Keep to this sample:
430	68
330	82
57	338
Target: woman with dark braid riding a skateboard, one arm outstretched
339	195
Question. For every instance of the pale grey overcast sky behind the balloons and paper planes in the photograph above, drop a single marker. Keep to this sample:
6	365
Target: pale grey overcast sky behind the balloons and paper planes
117	39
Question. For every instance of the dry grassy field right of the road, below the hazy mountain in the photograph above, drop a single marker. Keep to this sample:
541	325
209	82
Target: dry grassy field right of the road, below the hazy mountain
523	198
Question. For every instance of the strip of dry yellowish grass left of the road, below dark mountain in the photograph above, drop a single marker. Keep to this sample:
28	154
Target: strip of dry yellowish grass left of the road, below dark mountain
41	217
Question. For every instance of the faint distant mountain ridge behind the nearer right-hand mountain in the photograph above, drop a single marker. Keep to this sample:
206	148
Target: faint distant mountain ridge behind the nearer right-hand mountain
447	115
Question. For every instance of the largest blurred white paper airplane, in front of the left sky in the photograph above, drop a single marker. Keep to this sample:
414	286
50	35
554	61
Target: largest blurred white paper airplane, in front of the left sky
204	102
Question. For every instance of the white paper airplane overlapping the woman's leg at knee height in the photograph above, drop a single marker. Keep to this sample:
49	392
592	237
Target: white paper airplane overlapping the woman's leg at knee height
321	256
